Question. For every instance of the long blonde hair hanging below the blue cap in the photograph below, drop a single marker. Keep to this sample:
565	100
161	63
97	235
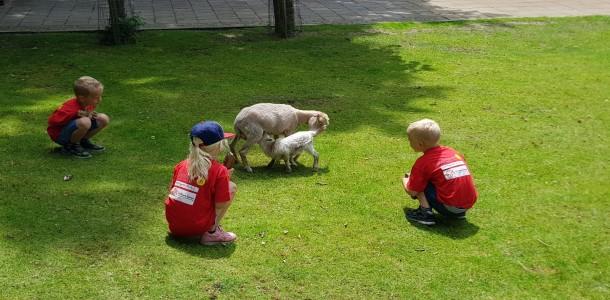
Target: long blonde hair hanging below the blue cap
200	160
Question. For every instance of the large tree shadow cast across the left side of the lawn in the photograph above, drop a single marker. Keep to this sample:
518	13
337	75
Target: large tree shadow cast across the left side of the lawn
174	80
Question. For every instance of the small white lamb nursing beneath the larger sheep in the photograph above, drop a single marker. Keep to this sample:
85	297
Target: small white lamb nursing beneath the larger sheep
290	147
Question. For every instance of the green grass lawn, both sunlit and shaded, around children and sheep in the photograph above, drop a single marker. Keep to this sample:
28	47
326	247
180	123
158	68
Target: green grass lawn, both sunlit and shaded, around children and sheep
527	101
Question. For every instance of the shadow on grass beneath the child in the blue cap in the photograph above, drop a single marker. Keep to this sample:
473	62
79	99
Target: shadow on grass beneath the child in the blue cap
192	246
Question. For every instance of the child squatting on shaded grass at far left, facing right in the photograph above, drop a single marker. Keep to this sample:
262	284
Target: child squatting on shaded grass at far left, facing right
76	121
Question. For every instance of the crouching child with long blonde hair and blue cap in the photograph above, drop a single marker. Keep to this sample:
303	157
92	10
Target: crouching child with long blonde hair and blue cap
201	191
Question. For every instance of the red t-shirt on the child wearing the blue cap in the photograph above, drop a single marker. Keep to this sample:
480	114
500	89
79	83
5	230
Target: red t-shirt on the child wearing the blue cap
190	207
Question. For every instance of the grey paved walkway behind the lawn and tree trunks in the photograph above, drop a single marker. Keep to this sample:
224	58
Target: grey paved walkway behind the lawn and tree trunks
72	15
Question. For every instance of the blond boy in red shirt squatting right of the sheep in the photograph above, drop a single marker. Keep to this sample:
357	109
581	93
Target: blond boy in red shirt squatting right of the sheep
439	179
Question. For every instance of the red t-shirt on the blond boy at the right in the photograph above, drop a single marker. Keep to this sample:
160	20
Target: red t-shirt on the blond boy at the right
446	169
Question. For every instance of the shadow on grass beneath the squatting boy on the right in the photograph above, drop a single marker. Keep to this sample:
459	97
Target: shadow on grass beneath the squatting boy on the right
454	229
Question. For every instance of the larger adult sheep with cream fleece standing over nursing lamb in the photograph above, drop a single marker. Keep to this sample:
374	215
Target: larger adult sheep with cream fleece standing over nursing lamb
275	119
